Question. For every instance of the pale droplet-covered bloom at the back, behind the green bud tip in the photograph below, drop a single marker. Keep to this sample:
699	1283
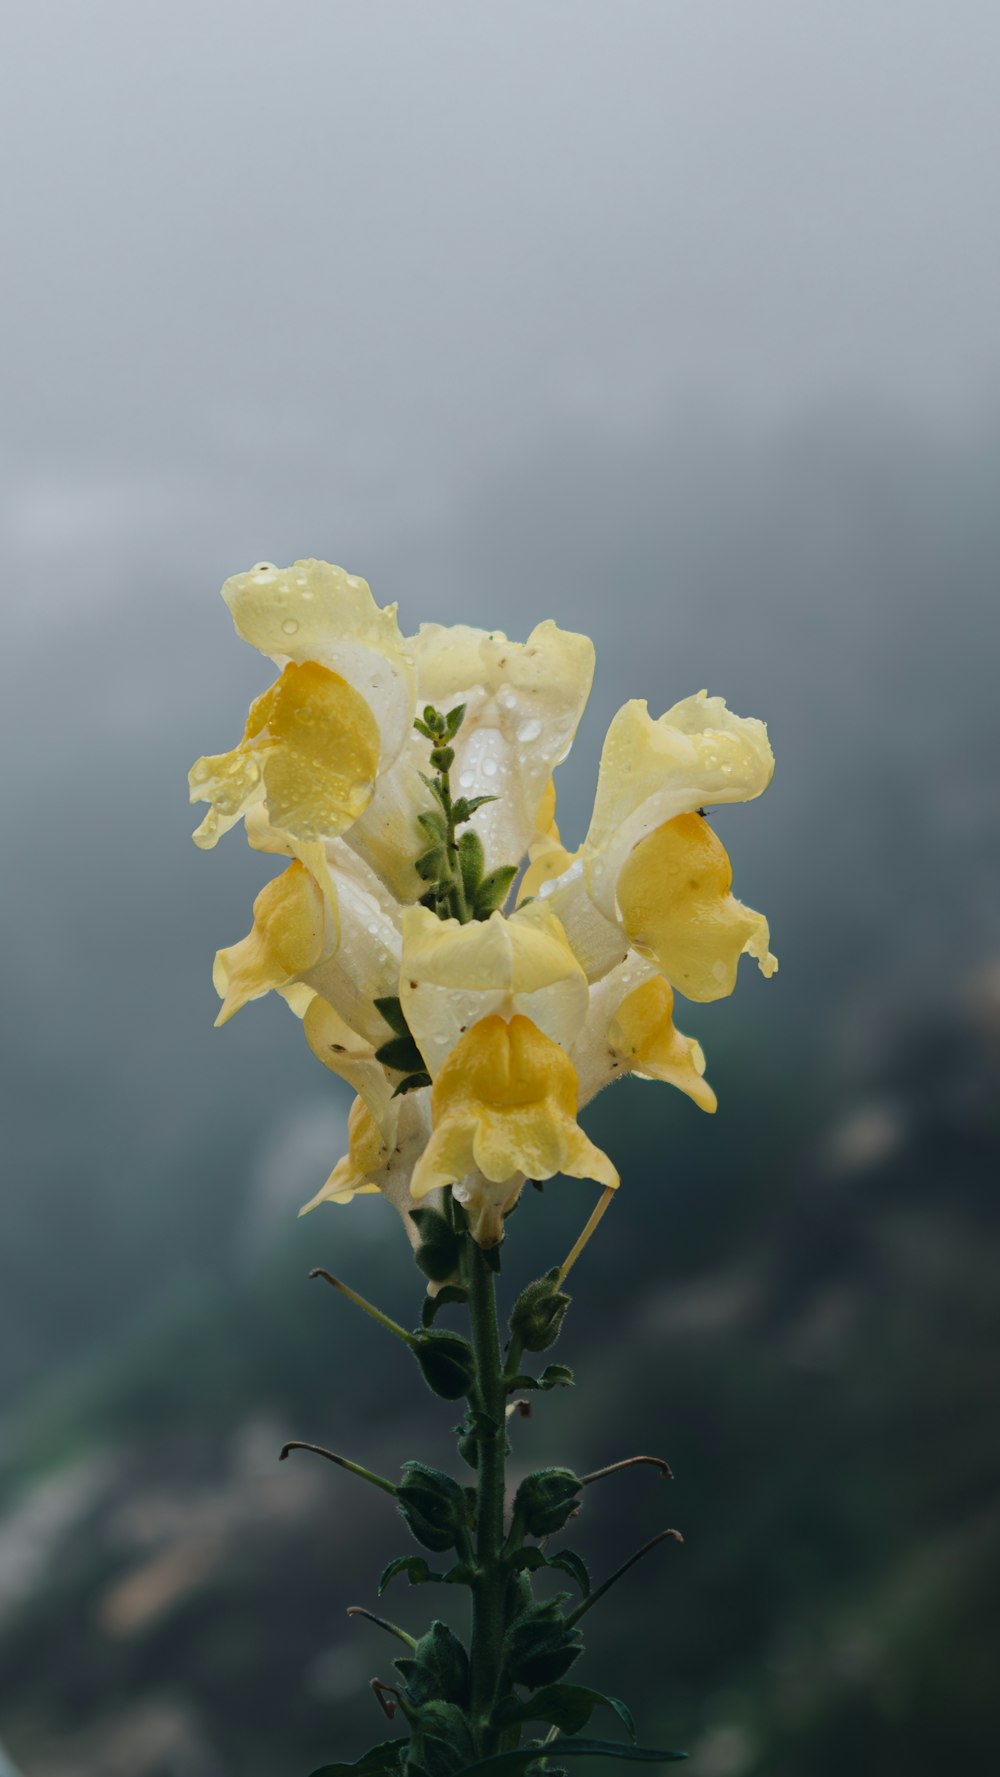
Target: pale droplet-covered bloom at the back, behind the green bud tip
523	705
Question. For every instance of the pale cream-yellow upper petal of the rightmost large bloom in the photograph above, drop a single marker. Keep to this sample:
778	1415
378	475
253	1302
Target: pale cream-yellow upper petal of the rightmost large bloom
651	772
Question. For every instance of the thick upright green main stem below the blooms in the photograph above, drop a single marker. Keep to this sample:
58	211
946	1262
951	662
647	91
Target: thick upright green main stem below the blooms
491	1584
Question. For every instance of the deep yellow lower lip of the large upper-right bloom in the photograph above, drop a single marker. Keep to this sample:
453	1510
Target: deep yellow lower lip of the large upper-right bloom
678	911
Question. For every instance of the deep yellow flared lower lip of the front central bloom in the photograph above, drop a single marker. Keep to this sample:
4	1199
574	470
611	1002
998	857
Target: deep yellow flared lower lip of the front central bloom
504	1108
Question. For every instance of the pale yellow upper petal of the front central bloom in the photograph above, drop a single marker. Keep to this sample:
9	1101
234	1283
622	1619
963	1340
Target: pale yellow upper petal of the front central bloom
452	976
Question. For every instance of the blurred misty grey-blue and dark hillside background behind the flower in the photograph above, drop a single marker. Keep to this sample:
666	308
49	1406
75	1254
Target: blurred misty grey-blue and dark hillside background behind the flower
676	324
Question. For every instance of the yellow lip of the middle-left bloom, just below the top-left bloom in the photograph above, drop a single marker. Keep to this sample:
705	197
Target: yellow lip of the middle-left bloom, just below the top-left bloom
287	937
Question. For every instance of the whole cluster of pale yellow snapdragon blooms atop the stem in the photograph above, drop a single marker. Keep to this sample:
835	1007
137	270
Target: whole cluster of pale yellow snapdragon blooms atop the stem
408	781
